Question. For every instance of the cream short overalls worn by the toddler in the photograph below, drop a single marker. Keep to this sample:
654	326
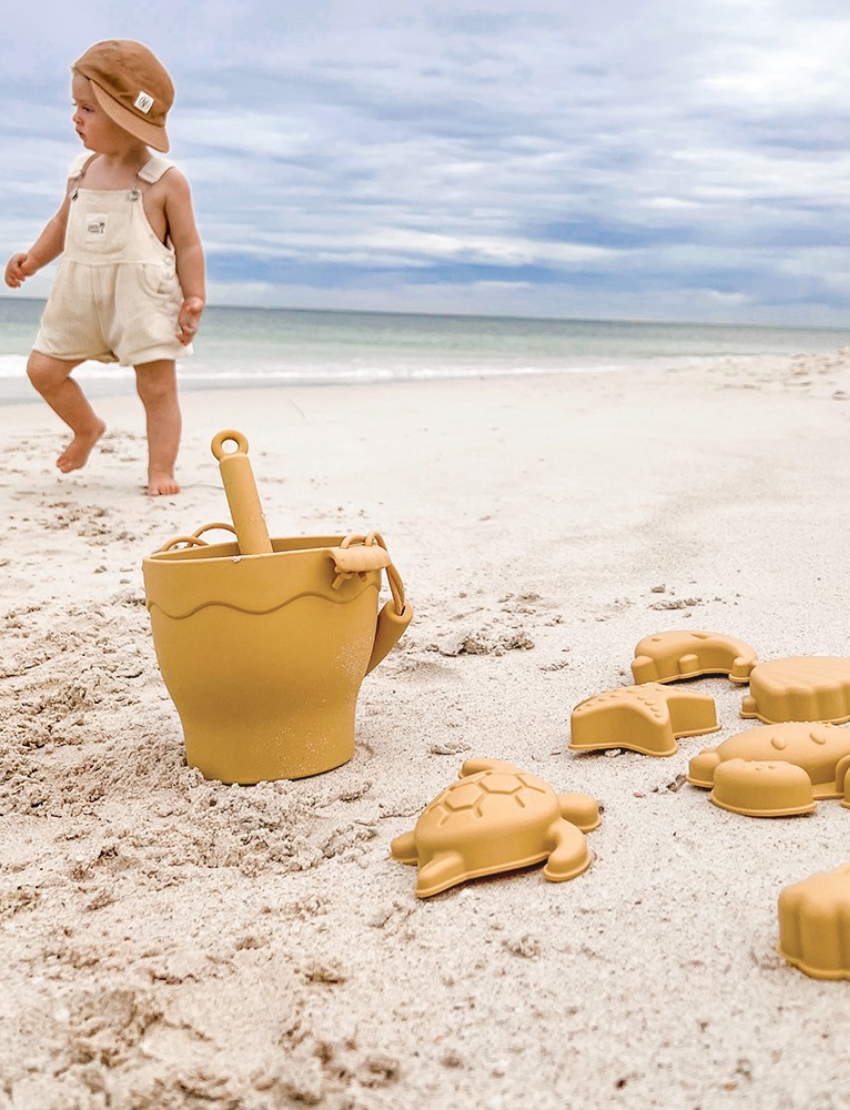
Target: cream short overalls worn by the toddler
117	296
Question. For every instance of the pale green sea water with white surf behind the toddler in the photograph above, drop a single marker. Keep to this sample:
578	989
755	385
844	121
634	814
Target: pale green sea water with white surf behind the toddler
278	347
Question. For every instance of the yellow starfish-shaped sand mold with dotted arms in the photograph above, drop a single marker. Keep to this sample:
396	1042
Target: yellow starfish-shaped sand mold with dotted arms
644	719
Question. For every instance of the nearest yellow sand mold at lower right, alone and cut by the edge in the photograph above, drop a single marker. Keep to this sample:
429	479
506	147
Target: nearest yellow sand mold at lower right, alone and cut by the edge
815	925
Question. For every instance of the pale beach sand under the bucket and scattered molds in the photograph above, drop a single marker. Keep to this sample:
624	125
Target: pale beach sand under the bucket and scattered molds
173	943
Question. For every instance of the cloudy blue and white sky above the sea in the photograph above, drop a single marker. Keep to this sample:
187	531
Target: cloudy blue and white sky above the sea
657	162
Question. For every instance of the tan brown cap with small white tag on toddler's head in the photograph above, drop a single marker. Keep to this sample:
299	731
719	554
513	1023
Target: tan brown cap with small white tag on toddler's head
133	87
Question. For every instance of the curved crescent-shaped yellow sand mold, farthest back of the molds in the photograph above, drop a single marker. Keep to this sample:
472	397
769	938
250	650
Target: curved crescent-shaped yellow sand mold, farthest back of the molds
671	657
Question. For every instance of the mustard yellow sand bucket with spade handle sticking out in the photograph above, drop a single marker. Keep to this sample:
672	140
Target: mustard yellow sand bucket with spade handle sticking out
264	643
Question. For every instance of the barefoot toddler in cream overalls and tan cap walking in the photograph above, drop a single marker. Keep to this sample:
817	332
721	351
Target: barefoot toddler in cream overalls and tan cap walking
130	287
